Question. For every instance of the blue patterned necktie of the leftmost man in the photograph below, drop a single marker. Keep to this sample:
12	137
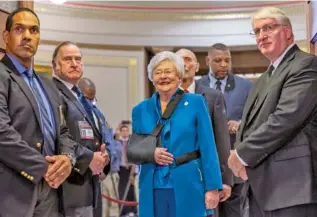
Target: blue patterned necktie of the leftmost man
47	125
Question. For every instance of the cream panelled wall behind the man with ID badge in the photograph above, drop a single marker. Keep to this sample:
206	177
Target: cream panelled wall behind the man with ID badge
118	75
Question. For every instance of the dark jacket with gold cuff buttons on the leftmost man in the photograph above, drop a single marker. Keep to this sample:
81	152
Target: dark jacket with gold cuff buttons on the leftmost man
22	165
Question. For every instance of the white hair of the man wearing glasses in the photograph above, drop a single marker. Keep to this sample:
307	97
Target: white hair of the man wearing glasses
274	13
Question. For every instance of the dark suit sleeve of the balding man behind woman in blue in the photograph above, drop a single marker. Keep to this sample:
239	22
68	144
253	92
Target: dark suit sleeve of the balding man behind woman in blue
222	139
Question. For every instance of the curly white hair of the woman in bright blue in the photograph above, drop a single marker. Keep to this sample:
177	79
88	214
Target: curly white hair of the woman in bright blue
163	56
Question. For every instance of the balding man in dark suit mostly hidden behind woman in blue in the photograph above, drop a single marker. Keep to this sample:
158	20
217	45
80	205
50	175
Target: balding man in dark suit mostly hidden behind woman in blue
216	105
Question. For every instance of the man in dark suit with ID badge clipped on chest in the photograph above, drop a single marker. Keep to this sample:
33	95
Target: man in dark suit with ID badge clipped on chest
80	200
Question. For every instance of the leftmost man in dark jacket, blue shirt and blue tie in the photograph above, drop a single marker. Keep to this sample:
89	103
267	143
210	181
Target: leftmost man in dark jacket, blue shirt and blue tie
36	152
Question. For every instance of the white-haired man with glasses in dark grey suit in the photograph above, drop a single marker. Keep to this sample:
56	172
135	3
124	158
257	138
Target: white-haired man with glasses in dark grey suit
276	144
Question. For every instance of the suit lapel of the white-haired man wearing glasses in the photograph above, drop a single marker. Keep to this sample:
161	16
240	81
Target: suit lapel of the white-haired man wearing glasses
260	97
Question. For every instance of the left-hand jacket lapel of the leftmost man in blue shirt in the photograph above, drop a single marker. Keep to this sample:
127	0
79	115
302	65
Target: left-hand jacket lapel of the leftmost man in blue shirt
16	76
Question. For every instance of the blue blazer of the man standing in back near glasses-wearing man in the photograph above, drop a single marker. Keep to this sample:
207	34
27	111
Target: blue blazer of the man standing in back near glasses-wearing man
236	93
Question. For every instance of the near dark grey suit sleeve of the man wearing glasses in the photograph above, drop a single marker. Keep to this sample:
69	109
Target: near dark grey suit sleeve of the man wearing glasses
297	102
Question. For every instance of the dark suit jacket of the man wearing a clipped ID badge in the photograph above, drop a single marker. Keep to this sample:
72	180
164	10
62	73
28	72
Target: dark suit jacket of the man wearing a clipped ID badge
88	192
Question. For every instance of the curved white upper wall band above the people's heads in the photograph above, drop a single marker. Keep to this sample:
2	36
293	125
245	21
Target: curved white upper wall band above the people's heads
100	26
